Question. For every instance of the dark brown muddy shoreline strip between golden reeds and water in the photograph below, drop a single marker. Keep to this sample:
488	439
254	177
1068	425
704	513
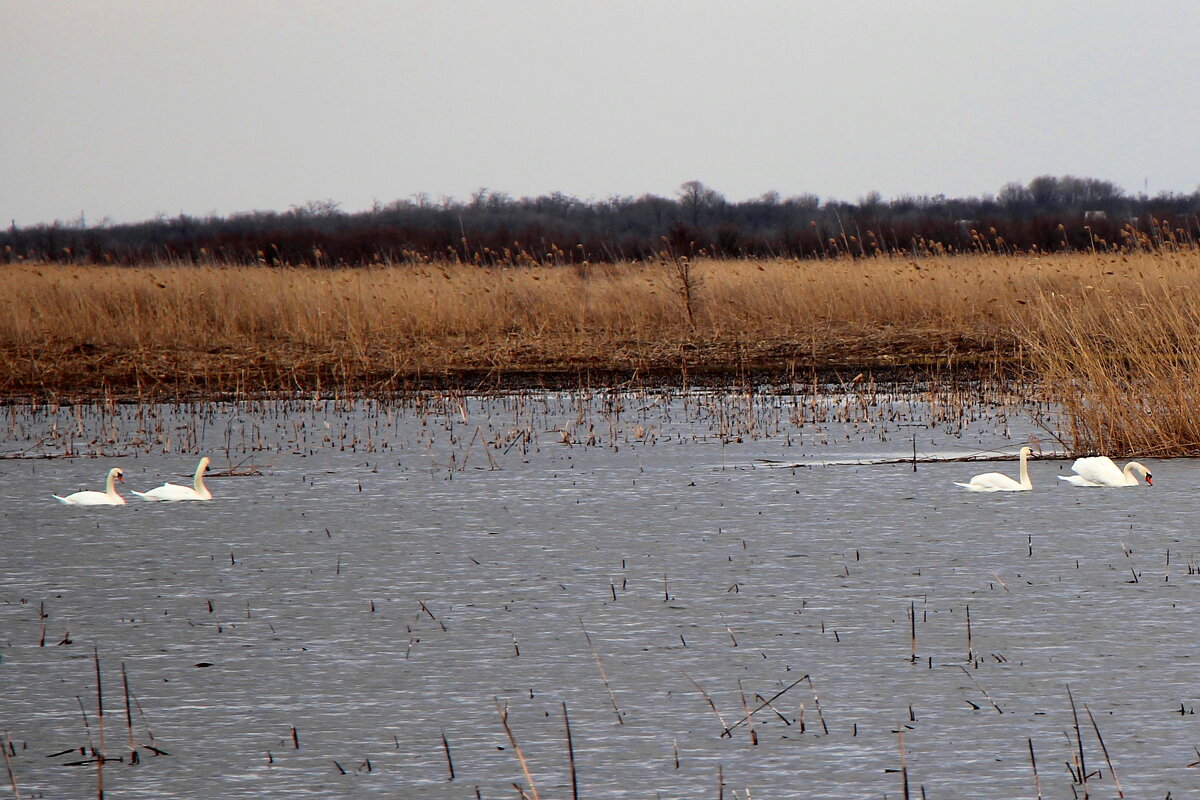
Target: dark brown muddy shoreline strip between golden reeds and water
89	372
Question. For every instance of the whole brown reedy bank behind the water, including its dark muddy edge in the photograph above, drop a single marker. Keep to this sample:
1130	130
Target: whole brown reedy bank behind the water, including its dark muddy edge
165	330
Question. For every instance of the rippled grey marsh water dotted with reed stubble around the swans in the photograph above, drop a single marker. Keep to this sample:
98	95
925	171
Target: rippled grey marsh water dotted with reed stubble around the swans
395	575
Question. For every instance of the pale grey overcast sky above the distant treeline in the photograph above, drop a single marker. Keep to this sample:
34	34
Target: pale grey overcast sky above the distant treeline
128	110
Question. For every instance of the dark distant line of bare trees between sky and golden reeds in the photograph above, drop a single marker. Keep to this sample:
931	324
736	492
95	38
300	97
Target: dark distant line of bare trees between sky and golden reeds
1049	214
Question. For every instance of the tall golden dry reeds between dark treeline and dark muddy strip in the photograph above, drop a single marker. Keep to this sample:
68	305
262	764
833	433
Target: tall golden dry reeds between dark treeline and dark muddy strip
557	311
